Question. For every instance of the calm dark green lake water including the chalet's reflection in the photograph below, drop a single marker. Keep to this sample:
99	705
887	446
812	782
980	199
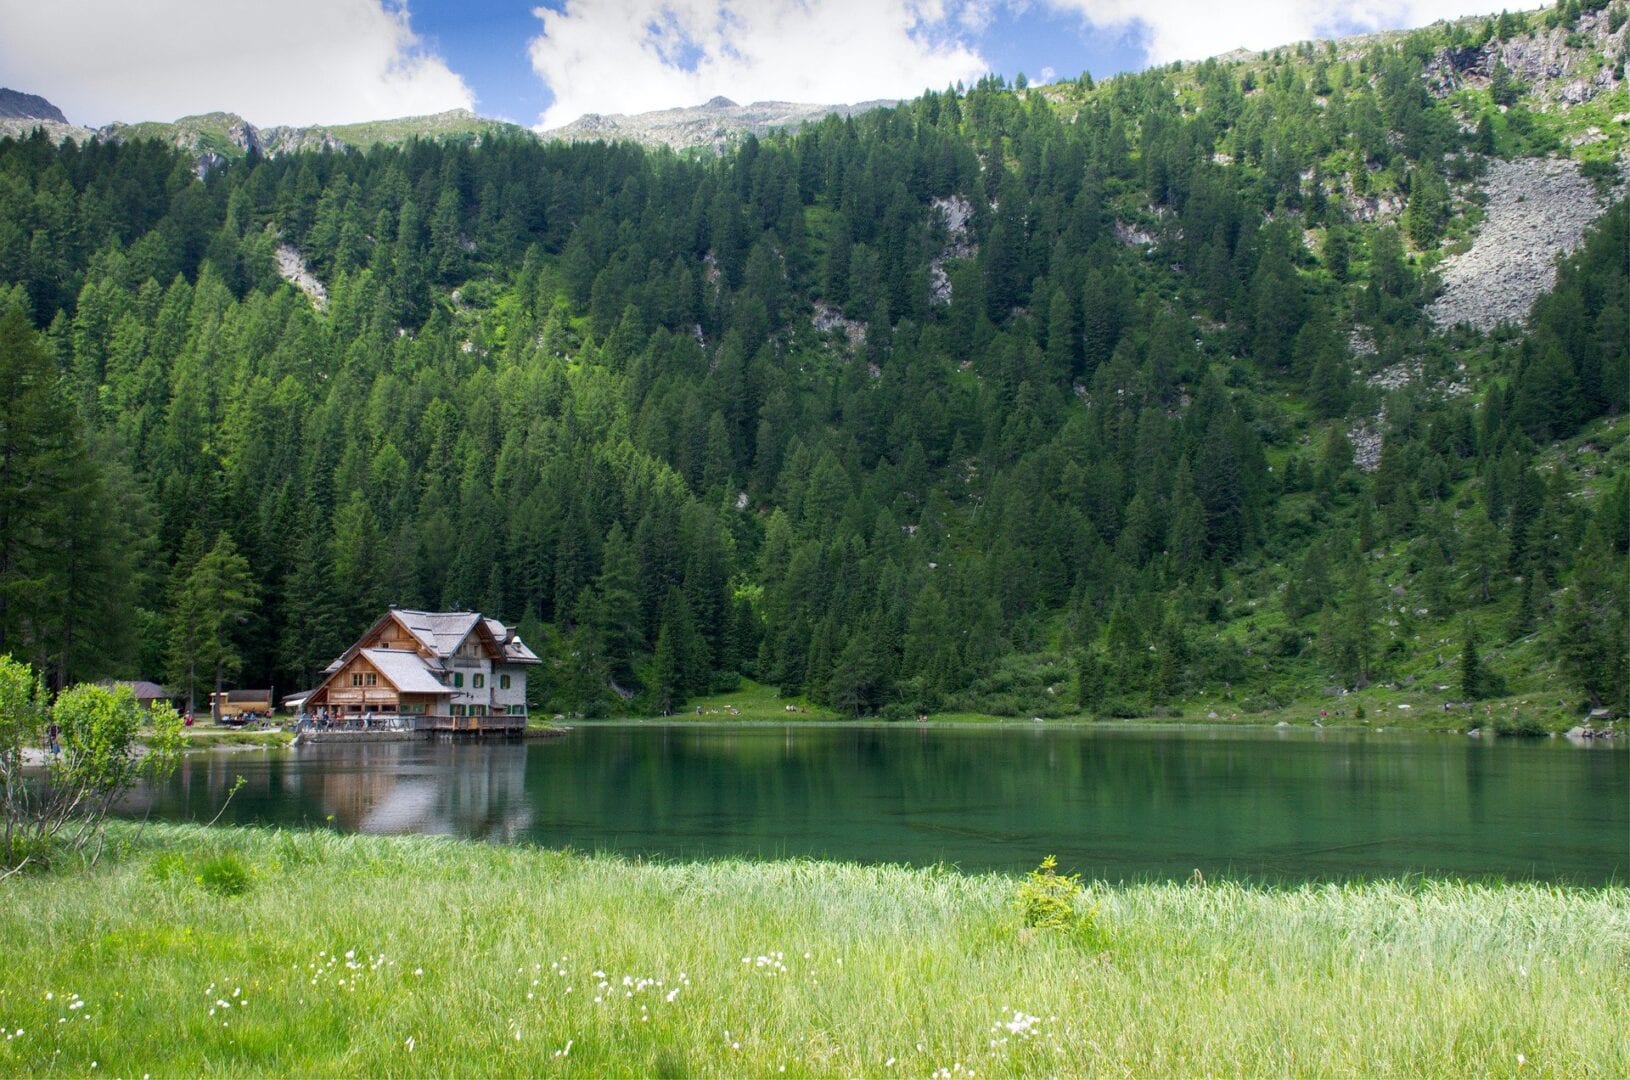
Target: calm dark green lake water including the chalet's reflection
1111	804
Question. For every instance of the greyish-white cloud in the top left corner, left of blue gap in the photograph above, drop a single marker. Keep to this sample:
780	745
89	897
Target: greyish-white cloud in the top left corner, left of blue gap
270	61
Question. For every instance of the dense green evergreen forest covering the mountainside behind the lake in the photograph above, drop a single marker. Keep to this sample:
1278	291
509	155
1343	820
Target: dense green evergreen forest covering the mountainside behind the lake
1026	402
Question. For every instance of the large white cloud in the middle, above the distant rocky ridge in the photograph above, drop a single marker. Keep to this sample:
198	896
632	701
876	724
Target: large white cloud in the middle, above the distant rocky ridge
632	56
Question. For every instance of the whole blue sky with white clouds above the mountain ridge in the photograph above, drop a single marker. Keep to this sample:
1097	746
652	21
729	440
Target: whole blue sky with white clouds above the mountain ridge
337	61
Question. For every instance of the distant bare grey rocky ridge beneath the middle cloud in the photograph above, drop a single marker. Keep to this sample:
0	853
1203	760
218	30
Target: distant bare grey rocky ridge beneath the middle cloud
715	125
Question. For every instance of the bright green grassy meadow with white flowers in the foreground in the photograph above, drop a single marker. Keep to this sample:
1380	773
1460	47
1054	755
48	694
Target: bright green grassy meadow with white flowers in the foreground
253	952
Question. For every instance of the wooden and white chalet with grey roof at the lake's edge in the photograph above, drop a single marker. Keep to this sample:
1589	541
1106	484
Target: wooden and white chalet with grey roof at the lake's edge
431	672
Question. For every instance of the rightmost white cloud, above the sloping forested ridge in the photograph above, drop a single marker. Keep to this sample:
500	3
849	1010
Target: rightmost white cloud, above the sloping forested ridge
1191	30
